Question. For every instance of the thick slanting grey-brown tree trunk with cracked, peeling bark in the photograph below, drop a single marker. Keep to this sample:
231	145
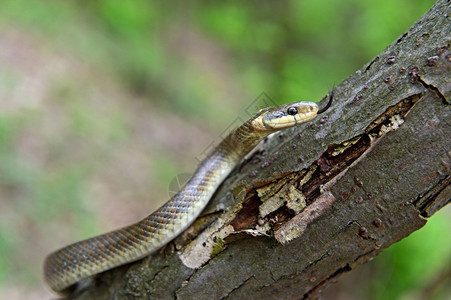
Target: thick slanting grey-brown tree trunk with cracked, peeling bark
319	200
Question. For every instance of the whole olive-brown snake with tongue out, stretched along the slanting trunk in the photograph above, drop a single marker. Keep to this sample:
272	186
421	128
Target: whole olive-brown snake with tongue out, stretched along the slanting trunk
64	268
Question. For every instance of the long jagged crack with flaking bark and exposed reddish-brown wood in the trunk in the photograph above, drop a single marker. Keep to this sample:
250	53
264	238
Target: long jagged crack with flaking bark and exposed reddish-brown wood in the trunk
314	181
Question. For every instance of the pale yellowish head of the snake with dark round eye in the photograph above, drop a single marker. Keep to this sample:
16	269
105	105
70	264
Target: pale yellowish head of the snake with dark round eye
284	116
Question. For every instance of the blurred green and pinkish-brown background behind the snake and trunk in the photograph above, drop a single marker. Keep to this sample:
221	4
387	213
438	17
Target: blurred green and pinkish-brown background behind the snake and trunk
103	103
